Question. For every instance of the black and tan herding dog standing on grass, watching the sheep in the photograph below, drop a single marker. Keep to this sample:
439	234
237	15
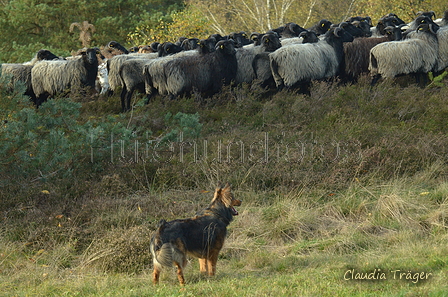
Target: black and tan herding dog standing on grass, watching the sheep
201	236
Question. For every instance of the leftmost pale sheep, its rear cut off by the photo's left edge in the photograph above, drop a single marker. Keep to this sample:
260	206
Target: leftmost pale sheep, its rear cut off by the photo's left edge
22	72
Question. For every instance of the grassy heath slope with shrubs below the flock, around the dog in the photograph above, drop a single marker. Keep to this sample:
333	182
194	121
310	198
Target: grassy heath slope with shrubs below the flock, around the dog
345	192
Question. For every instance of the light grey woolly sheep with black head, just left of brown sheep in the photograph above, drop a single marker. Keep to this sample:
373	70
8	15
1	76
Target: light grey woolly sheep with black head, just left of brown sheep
299	64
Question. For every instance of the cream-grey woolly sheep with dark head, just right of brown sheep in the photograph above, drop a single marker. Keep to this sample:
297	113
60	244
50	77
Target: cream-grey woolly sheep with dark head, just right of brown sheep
414	55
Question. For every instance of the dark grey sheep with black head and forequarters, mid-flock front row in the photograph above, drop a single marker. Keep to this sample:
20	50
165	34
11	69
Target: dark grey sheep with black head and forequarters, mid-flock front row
204	73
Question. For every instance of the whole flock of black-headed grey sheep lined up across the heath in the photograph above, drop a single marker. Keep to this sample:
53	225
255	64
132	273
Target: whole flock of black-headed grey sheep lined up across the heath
285	57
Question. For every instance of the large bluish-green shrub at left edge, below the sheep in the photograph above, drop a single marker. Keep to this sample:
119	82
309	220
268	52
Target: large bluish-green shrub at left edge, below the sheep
37	144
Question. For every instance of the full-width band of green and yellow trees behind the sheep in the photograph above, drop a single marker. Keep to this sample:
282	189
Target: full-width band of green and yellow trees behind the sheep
30	25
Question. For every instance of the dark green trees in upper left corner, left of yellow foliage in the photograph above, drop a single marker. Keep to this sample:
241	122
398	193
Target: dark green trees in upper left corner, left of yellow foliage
45	24
